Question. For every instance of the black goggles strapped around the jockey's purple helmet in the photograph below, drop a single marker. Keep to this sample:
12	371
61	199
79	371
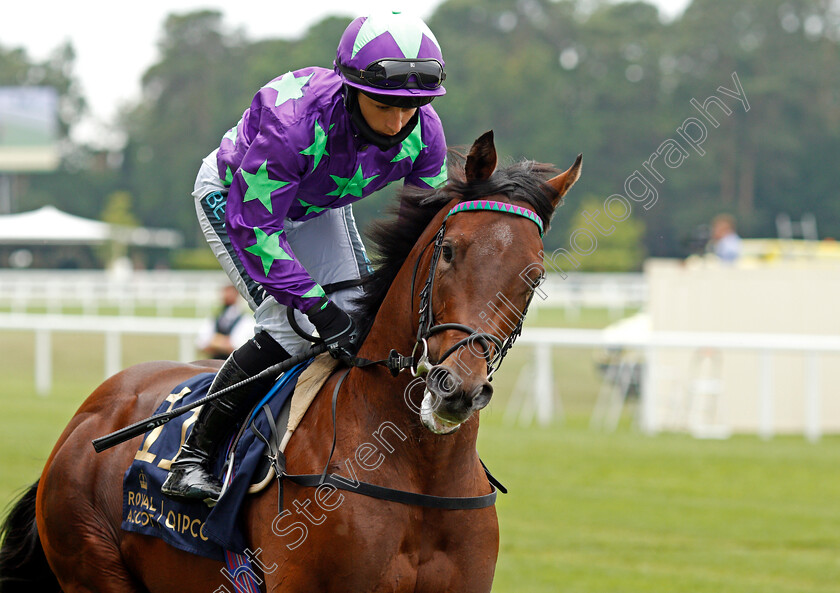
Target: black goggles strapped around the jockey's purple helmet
395	73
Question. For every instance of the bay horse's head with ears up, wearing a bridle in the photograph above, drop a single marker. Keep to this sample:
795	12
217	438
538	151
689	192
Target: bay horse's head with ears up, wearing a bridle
474	270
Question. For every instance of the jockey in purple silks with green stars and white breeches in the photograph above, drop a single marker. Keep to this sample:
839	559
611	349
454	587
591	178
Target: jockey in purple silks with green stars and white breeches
274	202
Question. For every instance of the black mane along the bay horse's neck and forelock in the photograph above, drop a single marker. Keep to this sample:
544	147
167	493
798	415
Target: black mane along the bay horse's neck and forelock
393	239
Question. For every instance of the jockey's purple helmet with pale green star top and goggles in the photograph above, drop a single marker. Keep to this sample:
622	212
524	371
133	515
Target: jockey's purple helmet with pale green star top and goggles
392	54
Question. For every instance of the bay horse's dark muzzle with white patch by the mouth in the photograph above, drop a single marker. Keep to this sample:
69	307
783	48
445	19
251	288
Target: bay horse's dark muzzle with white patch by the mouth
449	400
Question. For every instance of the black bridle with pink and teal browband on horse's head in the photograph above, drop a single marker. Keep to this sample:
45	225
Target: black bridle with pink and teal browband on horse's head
426	328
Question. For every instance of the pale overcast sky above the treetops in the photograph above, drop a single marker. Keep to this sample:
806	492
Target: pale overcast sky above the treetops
116	42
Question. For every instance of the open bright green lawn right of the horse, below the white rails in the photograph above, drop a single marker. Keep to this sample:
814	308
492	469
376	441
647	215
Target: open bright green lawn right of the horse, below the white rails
593	513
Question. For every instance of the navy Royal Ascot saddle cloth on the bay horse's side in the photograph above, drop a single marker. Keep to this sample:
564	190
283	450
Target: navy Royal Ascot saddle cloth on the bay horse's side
194	527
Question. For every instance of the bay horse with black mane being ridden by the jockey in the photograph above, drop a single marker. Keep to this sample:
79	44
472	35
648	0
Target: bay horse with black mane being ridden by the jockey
479	262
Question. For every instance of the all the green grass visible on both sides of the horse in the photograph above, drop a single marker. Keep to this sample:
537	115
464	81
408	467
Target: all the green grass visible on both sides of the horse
587	511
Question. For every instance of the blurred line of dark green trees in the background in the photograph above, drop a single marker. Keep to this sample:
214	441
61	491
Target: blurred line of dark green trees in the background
732	107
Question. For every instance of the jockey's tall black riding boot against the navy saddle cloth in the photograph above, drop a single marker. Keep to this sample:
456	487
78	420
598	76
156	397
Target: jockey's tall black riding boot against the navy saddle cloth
189	476
